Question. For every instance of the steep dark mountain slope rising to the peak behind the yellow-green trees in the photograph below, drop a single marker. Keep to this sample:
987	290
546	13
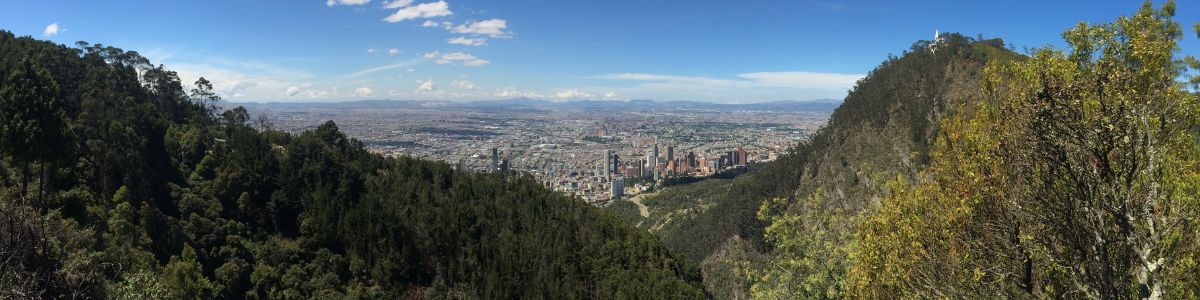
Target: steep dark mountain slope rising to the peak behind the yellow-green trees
884	130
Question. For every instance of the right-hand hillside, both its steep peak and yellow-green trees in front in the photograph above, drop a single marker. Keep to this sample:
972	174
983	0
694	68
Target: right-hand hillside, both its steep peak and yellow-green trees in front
1065	175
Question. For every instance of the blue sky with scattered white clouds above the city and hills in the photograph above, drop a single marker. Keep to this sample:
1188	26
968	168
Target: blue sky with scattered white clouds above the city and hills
554	50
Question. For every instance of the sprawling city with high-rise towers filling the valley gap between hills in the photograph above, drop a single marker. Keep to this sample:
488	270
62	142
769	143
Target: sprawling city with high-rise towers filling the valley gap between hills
595	152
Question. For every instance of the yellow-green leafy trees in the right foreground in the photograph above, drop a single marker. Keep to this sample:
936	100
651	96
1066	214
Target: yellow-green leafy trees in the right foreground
1076	177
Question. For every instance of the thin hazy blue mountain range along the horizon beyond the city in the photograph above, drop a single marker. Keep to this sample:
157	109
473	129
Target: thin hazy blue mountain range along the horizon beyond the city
823	105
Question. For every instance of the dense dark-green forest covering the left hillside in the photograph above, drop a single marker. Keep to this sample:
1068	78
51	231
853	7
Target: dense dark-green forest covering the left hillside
118	183
